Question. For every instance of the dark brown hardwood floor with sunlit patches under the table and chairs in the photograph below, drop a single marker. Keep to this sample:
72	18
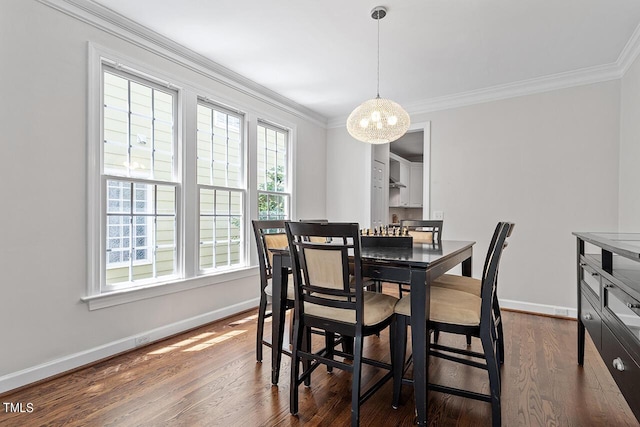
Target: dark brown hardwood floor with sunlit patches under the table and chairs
209	377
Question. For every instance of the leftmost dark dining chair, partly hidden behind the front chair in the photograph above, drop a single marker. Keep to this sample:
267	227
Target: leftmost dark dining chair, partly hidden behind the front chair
269	234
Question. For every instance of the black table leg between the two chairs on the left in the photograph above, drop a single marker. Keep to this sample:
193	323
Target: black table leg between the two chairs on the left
278	315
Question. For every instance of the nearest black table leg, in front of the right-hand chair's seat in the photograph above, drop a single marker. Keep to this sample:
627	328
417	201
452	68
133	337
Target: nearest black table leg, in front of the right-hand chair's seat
420	341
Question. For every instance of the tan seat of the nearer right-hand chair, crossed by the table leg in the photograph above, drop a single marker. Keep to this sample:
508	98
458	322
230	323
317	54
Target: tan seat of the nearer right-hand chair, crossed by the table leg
448	306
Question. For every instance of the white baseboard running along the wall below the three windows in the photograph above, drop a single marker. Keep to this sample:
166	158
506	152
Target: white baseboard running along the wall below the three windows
73	361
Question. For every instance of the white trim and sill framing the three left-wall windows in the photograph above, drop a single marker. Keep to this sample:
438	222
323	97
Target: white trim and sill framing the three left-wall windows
188	94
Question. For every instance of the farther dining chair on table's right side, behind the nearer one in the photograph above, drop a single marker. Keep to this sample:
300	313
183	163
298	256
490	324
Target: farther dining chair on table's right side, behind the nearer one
474	287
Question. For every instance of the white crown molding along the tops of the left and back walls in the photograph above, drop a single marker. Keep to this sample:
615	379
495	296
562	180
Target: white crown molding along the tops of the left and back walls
105	19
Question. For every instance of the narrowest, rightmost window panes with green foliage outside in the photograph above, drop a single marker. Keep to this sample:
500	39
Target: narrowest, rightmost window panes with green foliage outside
273	172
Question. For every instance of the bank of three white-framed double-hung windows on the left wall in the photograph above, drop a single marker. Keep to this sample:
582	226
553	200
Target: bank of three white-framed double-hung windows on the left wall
170	196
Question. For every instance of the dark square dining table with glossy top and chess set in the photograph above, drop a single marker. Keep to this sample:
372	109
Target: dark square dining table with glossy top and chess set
418	266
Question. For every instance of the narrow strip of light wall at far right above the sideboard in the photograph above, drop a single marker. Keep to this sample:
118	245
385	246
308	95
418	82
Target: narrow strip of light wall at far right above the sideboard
630	150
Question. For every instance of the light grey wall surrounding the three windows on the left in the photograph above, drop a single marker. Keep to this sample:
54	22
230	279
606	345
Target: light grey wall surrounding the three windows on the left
43	263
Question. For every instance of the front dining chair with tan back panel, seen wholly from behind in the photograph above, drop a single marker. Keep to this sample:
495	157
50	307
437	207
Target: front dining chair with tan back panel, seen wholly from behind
327	299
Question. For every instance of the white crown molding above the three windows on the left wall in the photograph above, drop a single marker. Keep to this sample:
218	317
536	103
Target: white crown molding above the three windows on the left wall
119	26
